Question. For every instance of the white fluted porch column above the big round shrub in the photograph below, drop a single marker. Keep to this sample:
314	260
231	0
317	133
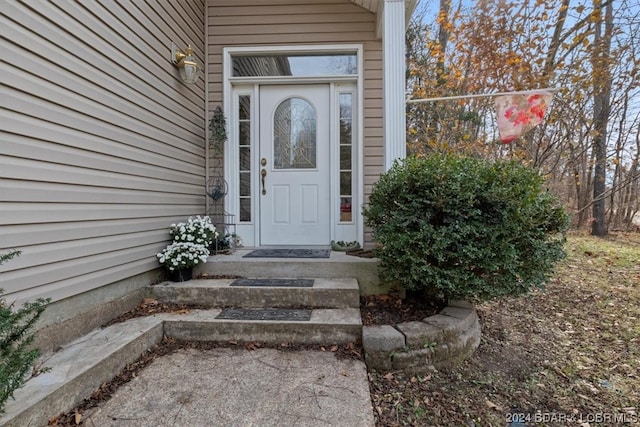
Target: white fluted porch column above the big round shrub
394	81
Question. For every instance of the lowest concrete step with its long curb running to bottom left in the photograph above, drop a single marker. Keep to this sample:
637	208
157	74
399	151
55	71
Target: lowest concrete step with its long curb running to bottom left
82	366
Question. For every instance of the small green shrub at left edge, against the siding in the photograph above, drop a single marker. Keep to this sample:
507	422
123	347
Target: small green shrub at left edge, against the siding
16	336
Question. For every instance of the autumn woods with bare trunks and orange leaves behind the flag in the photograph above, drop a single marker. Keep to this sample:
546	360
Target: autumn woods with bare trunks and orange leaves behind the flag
587	147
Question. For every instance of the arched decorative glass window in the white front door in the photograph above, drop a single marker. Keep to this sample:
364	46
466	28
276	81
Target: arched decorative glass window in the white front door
294	135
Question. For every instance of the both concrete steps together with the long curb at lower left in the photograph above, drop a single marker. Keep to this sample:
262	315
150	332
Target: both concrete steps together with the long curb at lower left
80	367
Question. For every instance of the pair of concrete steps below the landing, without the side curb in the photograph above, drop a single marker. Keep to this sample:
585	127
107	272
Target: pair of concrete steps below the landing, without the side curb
333	305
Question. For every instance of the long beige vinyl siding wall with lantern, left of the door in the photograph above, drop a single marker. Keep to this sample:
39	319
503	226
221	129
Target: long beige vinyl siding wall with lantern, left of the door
101	143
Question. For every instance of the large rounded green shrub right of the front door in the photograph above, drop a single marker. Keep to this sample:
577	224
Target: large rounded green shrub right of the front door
461	227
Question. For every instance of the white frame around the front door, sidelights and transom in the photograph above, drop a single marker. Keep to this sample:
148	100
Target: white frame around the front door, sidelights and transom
233	87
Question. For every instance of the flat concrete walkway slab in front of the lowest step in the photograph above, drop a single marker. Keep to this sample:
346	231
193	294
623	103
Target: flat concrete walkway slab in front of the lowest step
237	387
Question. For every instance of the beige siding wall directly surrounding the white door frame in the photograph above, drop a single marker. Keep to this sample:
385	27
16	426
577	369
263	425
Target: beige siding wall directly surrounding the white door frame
233	23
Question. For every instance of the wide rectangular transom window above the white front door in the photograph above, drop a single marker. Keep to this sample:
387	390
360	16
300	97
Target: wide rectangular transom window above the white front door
298	65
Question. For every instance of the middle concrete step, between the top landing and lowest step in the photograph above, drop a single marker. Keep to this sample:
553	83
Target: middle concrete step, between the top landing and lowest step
325	293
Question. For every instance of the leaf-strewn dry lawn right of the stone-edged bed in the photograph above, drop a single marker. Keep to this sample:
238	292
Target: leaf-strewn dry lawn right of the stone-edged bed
568	355
